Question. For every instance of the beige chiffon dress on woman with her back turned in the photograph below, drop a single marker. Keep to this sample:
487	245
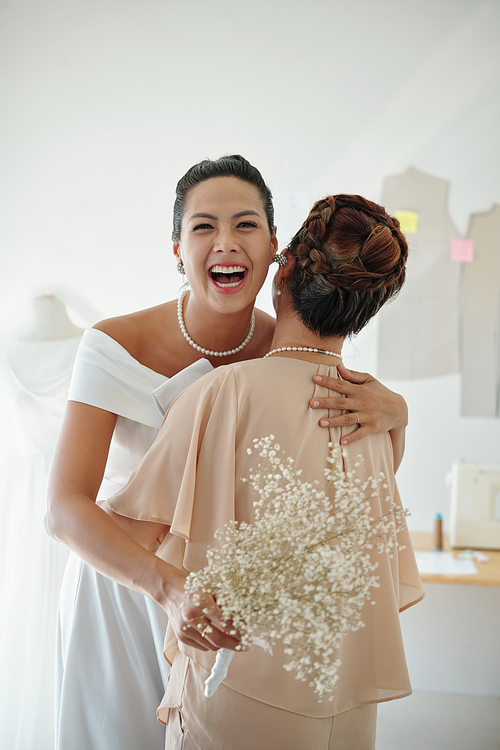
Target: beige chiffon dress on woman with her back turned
191	480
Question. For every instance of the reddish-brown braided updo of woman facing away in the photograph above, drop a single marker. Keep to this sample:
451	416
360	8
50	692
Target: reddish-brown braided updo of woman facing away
350	260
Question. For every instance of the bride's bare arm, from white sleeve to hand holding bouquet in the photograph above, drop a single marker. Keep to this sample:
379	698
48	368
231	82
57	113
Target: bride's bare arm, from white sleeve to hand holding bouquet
112	544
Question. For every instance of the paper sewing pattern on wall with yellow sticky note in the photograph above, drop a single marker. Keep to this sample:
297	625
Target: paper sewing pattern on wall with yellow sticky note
418	331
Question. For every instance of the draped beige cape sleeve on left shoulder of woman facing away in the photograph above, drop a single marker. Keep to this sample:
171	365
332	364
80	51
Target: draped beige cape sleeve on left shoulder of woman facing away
197	439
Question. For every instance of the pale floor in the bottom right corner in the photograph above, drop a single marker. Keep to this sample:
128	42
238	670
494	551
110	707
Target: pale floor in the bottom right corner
438	721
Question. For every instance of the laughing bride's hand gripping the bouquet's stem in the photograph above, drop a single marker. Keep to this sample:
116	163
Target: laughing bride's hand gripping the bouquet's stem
197	620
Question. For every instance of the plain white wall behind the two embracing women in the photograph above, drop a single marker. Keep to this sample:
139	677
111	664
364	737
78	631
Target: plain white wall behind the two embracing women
108	102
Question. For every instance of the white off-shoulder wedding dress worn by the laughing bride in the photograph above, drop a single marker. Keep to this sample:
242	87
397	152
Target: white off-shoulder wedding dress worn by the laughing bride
111	671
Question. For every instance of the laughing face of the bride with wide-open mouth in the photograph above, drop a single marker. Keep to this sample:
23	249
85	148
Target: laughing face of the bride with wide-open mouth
225	244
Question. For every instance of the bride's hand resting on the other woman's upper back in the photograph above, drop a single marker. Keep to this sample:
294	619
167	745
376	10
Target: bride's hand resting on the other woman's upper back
370	404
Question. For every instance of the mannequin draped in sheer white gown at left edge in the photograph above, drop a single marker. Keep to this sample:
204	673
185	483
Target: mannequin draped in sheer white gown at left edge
35	373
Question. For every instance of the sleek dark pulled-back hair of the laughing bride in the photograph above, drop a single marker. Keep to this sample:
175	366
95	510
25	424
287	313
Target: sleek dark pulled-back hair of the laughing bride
227	166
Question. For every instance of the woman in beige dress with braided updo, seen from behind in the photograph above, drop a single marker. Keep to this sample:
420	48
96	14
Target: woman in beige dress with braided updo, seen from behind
347	260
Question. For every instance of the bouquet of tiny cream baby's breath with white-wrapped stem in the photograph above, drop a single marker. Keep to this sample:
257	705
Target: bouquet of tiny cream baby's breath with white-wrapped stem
301	572
